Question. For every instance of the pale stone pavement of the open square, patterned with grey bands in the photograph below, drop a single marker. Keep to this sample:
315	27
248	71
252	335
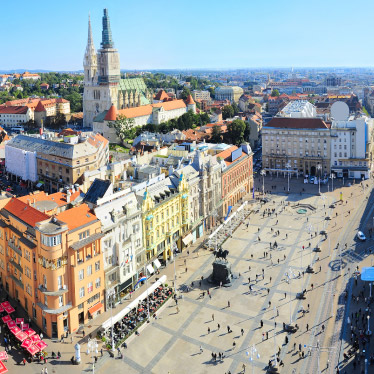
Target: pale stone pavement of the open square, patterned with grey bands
172	342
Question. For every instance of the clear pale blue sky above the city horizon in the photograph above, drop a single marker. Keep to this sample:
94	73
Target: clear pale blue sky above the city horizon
221	34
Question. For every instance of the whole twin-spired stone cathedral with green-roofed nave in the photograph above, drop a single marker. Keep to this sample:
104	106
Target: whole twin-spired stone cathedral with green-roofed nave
103	86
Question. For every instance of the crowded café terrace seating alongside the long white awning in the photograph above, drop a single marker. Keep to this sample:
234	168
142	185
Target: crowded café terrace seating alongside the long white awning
132	320
